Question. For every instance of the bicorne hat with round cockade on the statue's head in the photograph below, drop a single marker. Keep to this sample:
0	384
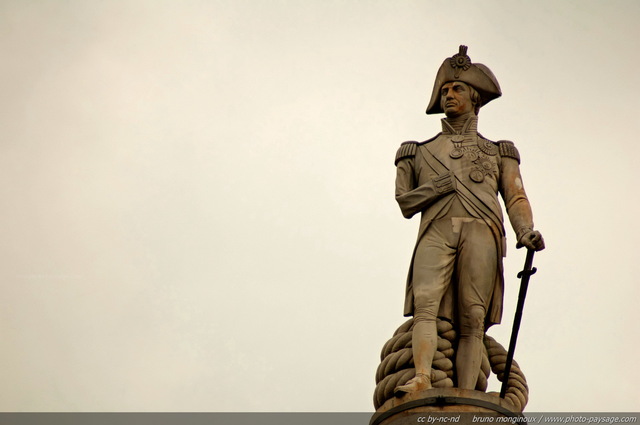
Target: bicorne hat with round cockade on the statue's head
460	68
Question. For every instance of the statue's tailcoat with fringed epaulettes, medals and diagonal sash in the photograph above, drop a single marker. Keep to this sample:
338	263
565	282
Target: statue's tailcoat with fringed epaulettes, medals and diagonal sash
480	169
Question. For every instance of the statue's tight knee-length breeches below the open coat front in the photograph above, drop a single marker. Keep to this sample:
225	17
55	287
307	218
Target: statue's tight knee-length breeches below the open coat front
459	250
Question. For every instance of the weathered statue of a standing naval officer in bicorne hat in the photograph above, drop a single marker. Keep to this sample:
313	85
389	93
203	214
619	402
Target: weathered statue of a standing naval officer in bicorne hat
453	180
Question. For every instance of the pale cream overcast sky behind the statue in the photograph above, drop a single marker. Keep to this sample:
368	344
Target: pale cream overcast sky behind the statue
198	196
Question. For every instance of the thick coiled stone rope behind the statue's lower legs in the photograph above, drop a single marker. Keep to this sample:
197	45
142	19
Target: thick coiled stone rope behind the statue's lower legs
397	367
